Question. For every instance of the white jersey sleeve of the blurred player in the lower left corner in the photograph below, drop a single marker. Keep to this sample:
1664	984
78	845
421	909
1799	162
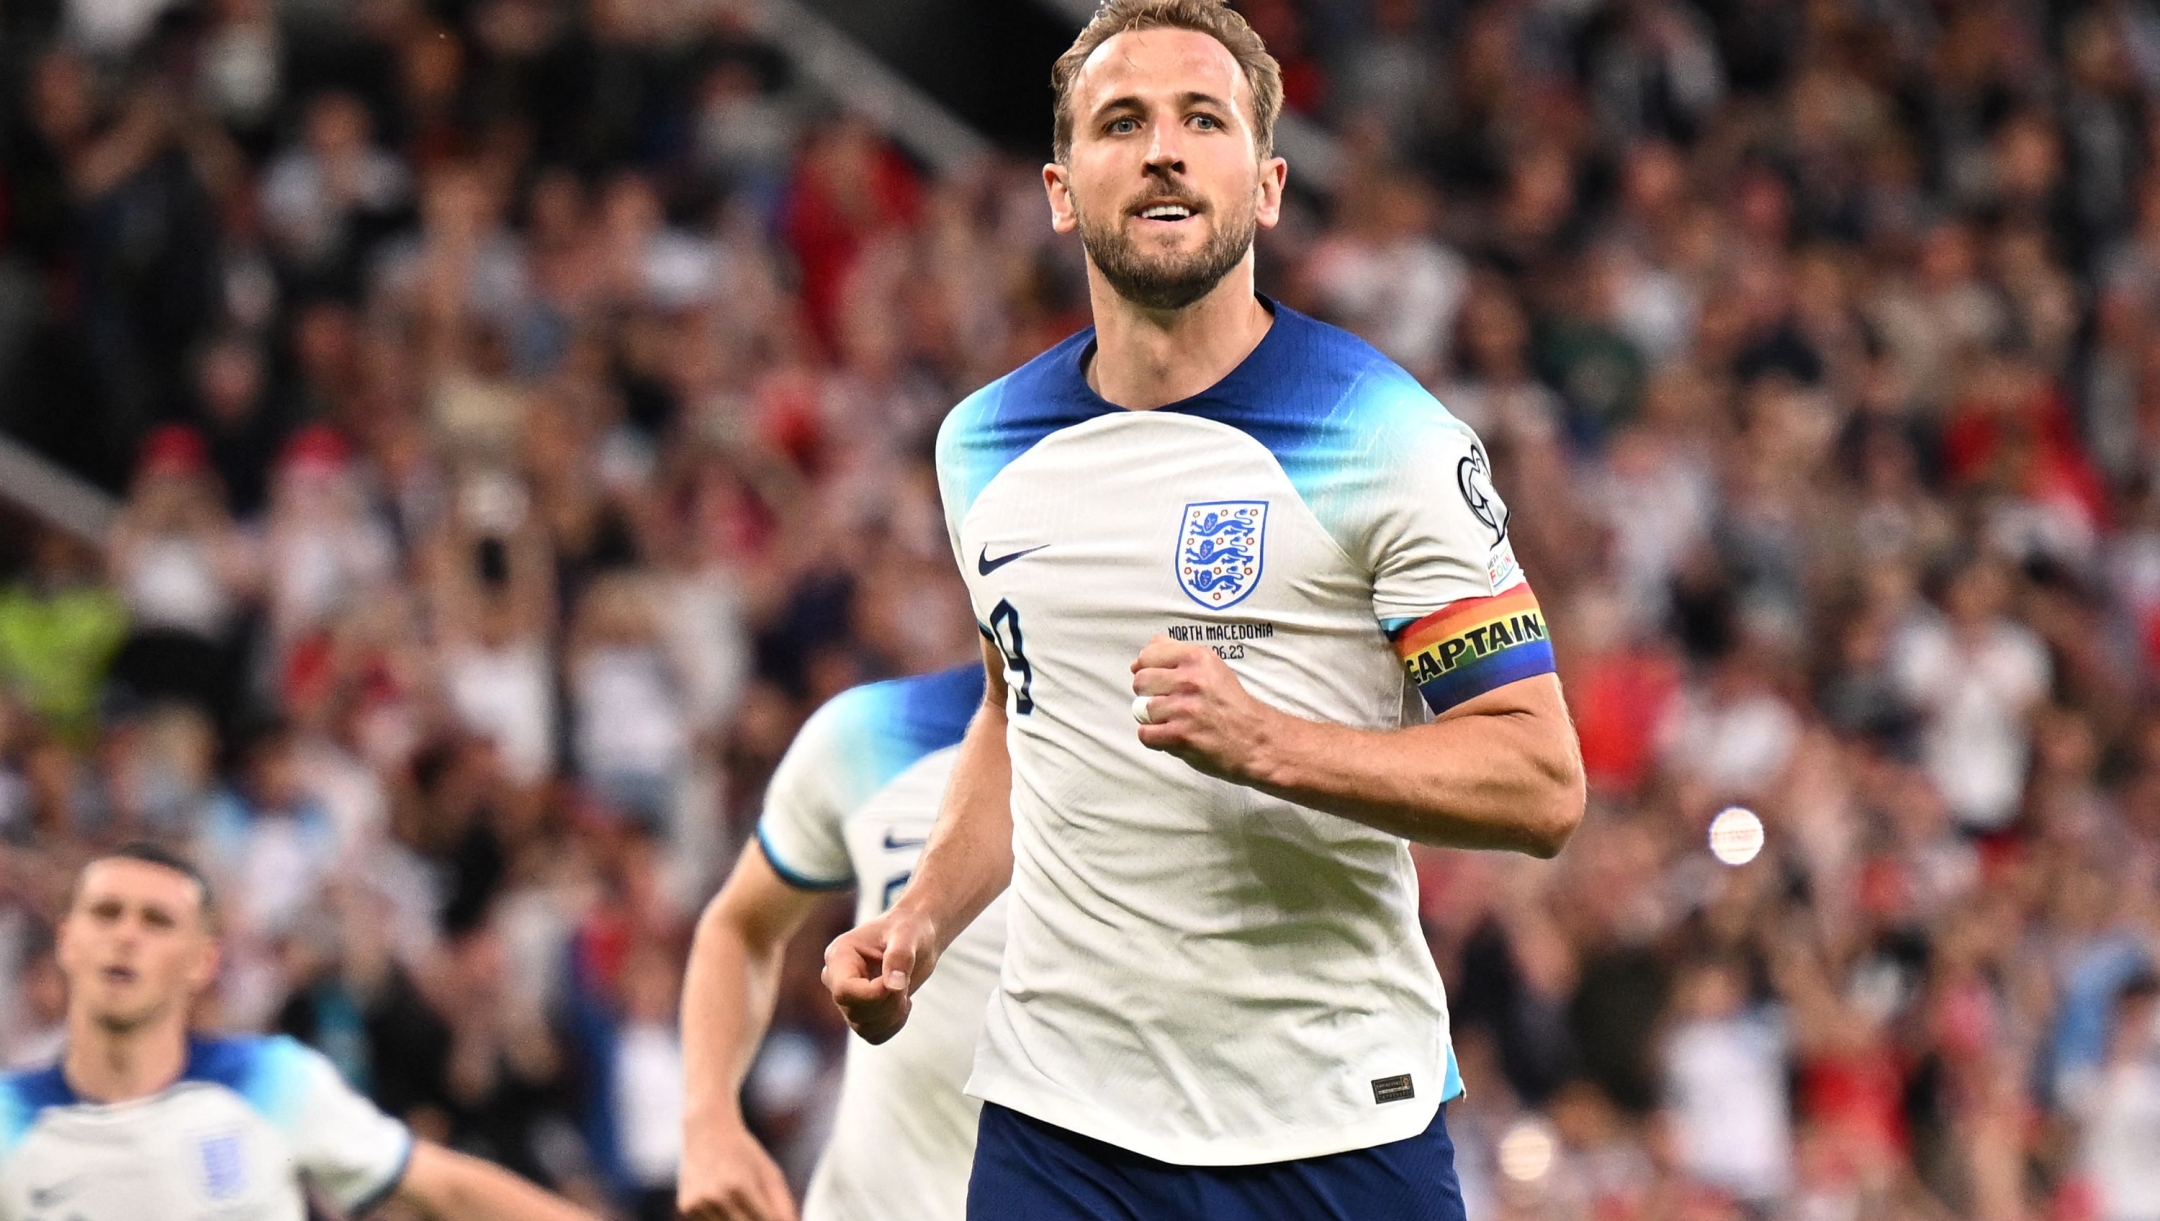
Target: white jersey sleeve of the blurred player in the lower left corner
347	1149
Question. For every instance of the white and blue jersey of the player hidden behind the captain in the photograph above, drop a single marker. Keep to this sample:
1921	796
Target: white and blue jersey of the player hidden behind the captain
852	805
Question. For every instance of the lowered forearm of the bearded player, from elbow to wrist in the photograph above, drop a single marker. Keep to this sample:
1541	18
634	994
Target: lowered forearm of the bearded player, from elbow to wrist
969	859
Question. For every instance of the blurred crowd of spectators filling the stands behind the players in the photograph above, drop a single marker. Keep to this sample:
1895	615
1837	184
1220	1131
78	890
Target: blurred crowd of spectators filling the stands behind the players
522	416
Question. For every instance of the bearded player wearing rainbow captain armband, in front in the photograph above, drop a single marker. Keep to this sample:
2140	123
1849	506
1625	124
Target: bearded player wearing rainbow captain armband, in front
1273	550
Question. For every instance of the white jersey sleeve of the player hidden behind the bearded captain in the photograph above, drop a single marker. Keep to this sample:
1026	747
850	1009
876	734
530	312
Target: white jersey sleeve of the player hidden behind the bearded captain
807	803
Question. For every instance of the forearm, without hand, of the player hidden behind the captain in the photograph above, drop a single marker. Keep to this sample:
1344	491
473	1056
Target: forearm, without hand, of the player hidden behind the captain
729	999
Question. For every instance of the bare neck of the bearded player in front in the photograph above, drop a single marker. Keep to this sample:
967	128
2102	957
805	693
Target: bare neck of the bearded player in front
1150	358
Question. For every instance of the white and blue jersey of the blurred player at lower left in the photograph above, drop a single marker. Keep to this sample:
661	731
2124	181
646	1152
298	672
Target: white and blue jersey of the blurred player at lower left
232	1140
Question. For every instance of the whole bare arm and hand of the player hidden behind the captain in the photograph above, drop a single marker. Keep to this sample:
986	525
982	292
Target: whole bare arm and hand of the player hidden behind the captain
727	1004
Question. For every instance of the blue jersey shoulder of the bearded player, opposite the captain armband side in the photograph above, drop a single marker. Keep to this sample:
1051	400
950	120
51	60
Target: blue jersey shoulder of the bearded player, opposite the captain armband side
1010	416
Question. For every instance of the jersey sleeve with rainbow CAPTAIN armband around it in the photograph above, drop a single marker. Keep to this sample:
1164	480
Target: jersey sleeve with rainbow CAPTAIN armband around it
1446	582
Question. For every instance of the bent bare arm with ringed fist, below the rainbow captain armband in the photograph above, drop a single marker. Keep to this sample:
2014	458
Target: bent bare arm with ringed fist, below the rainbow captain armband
1496	773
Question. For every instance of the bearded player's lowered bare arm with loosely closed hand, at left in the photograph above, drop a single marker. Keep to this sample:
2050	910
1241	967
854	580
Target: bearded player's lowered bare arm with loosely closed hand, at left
967	863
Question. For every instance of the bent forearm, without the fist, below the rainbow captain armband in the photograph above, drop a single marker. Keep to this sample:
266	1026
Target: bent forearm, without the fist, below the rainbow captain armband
1498	781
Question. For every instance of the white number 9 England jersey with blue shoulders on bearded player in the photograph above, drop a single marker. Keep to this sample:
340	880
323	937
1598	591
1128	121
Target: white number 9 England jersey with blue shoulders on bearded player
1198	971
